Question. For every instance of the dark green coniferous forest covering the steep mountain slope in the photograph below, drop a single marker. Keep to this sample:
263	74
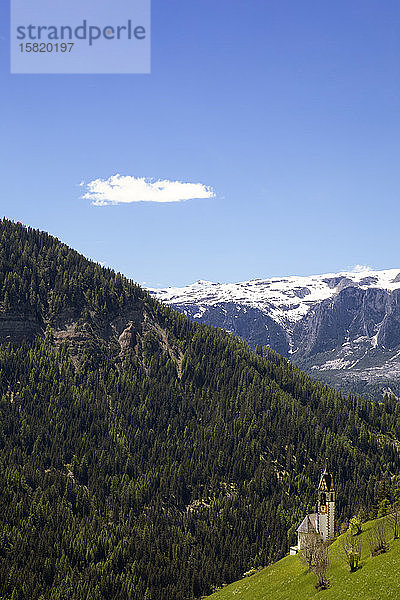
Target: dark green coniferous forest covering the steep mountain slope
143	456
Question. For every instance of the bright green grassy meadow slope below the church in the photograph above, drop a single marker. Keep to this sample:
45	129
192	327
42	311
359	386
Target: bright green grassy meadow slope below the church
288	579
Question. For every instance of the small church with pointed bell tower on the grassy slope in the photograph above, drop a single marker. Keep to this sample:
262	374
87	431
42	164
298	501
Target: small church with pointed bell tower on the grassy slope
323	521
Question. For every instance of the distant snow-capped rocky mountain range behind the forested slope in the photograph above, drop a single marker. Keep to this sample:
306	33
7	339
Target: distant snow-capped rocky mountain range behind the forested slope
342	327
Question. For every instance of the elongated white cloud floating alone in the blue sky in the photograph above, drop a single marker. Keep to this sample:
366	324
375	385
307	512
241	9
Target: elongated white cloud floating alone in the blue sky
120	189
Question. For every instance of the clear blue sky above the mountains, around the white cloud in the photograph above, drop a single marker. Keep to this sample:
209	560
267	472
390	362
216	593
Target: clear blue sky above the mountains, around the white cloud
288	110
